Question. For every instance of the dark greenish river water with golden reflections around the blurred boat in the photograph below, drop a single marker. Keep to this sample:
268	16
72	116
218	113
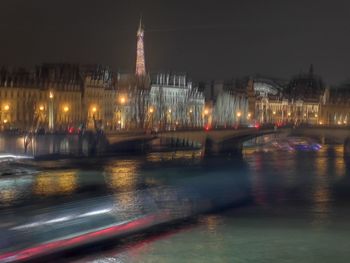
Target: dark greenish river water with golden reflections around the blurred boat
298	209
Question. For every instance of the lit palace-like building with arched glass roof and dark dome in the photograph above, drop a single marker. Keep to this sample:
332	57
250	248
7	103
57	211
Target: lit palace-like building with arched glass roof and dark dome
298	101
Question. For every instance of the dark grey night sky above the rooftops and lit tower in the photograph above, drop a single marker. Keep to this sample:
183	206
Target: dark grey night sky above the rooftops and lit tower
208	39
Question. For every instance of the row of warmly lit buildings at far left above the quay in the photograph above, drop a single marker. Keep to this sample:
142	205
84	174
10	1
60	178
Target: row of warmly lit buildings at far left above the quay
55	97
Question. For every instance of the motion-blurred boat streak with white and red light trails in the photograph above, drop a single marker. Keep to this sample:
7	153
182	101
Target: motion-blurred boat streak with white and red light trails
31	233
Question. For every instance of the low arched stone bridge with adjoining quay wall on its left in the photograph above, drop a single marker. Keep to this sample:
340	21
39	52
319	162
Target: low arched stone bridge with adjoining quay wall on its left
213	142
